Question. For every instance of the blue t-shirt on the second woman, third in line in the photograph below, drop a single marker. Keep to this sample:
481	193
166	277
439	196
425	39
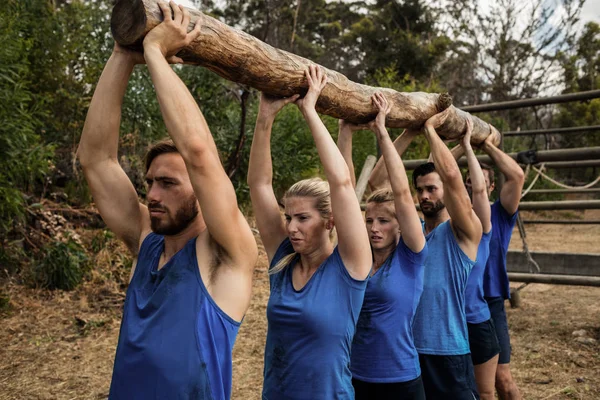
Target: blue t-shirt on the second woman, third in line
383	349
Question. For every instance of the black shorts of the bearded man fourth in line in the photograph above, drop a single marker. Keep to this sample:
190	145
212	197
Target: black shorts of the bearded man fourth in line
448	377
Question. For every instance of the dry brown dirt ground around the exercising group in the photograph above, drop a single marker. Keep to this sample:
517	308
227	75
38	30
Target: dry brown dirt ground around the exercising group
60	345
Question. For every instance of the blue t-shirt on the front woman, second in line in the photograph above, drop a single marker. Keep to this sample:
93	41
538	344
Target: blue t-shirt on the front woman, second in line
310	331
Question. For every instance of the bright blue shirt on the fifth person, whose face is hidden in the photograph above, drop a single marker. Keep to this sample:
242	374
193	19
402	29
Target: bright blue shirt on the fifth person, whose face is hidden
476	307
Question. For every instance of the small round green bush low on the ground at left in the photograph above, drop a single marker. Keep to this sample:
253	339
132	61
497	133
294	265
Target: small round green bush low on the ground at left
61	265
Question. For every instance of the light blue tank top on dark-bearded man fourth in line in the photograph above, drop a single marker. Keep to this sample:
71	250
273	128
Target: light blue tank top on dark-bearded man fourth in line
440	326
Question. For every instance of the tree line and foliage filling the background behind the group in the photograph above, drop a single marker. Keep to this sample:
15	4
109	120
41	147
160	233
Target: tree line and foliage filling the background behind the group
53	52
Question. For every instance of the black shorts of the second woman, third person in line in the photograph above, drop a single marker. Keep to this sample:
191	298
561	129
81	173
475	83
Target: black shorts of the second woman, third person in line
410	390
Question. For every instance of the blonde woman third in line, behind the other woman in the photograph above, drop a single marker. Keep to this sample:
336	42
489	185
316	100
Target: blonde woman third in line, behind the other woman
385	362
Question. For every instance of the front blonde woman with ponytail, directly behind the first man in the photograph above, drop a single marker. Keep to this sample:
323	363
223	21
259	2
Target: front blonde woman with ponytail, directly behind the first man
317	289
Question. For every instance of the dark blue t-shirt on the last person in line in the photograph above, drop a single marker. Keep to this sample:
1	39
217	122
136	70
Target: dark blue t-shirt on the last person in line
495	279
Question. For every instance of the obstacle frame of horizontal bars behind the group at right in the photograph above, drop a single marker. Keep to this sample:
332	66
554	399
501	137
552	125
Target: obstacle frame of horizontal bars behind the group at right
573	268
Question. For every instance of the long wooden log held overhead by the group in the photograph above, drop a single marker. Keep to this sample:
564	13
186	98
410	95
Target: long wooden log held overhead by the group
242	58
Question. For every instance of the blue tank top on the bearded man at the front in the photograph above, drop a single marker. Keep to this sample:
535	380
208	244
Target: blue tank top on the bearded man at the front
175	342
